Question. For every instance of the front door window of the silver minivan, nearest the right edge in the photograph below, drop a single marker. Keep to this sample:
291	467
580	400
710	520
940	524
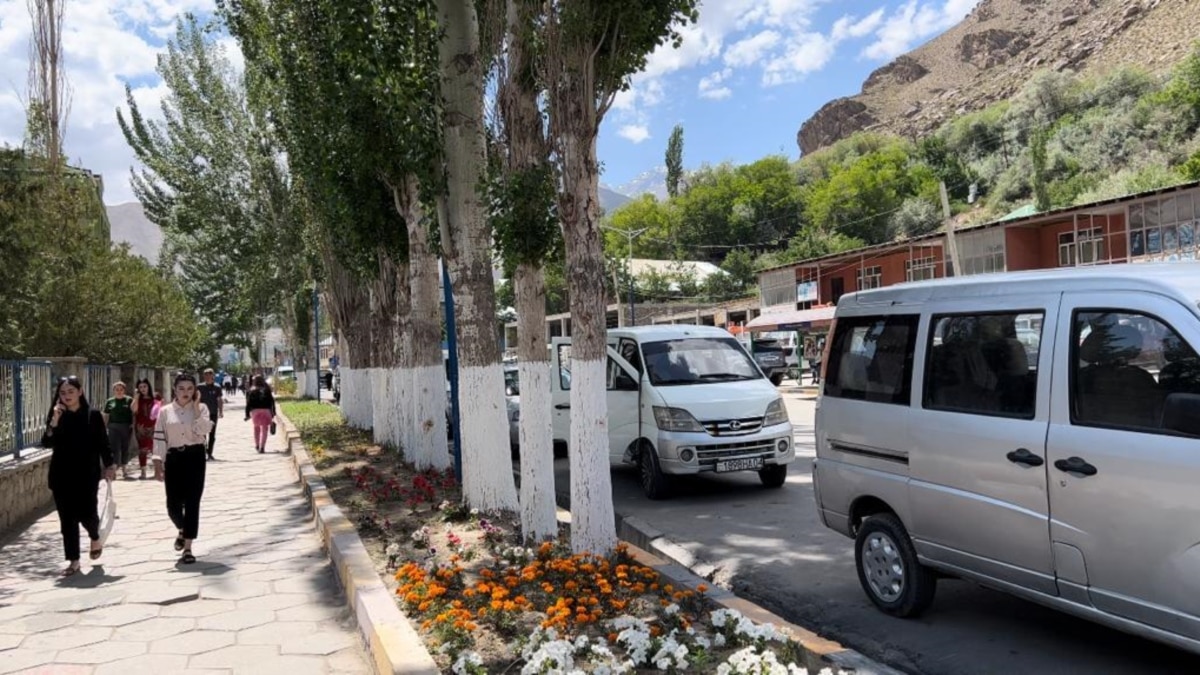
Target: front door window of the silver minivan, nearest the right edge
1126	366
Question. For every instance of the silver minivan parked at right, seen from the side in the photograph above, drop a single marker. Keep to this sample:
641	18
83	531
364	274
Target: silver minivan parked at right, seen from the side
1037	433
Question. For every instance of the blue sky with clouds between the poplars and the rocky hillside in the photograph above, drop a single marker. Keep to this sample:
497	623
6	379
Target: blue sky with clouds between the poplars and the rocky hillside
752	71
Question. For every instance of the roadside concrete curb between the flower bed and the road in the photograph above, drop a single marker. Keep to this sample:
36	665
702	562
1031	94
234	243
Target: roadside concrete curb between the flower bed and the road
671	560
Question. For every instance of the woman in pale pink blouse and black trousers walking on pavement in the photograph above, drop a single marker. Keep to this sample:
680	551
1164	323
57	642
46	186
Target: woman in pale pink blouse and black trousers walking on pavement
179	459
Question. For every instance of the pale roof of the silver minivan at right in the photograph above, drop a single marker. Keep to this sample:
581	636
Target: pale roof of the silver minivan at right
1180	280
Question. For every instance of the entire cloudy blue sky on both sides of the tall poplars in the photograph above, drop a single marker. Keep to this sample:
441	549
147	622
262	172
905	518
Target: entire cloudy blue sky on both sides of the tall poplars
748	75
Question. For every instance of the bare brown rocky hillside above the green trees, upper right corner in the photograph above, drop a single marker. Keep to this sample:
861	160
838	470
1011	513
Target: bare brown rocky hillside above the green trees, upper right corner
992	53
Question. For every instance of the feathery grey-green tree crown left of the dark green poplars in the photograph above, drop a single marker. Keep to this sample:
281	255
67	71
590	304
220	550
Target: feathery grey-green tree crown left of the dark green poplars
213	181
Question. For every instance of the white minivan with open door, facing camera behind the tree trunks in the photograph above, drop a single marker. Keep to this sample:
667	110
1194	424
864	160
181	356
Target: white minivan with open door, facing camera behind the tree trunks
682	401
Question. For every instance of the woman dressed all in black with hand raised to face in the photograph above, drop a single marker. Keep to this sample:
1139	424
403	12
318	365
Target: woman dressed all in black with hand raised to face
81	456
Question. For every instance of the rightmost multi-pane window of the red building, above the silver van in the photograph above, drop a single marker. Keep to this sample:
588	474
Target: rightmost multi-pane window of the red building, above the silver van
1166	230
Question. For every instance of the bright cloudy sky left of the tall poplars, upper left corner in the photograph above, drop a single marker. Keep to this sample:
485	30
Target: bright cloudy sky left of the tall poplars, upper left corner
106	44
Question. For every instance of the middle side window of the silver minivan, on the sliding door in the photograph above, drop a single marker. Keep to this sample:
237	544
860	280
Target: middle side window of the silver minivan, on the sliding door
985	363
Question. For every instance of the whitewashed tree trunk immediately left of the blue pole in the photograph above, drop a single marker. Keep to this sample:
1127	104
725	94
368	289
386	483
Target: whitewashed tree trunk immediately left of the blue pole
425	383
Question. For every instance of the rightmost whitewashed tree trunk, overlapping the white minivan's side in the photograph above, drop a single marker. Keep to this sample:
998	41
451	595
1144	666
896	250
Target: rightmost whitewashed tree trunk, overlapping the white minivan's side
574	124
